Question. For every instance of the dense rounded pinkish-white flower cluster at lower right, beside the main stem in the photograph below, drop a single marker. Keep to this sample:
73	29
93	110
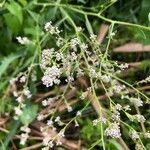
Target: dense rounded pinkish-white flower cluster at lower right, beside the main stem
113	130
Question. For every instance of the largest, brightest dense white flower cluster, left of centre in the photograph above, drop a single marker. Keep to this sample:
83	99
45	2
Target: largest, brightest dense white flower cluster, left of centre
51	76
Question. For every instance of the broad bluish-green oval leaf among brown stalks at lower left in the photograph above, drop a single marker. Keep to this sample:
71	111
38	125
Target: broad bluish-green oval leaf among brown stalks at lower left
29	114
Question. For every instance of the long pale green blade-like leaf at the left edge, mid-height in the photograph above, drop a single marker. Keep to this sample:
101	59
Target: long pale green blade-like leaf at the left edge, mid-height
6	61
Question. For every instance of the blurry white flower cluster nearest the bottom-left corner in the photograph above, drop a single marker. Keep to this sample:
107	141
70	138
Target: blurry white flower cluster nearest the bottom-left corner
25	135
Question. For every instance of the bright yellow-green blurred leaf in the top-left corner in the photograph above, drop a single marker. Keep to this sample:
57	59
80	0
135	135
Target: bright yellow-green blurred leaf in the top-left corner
15	9
